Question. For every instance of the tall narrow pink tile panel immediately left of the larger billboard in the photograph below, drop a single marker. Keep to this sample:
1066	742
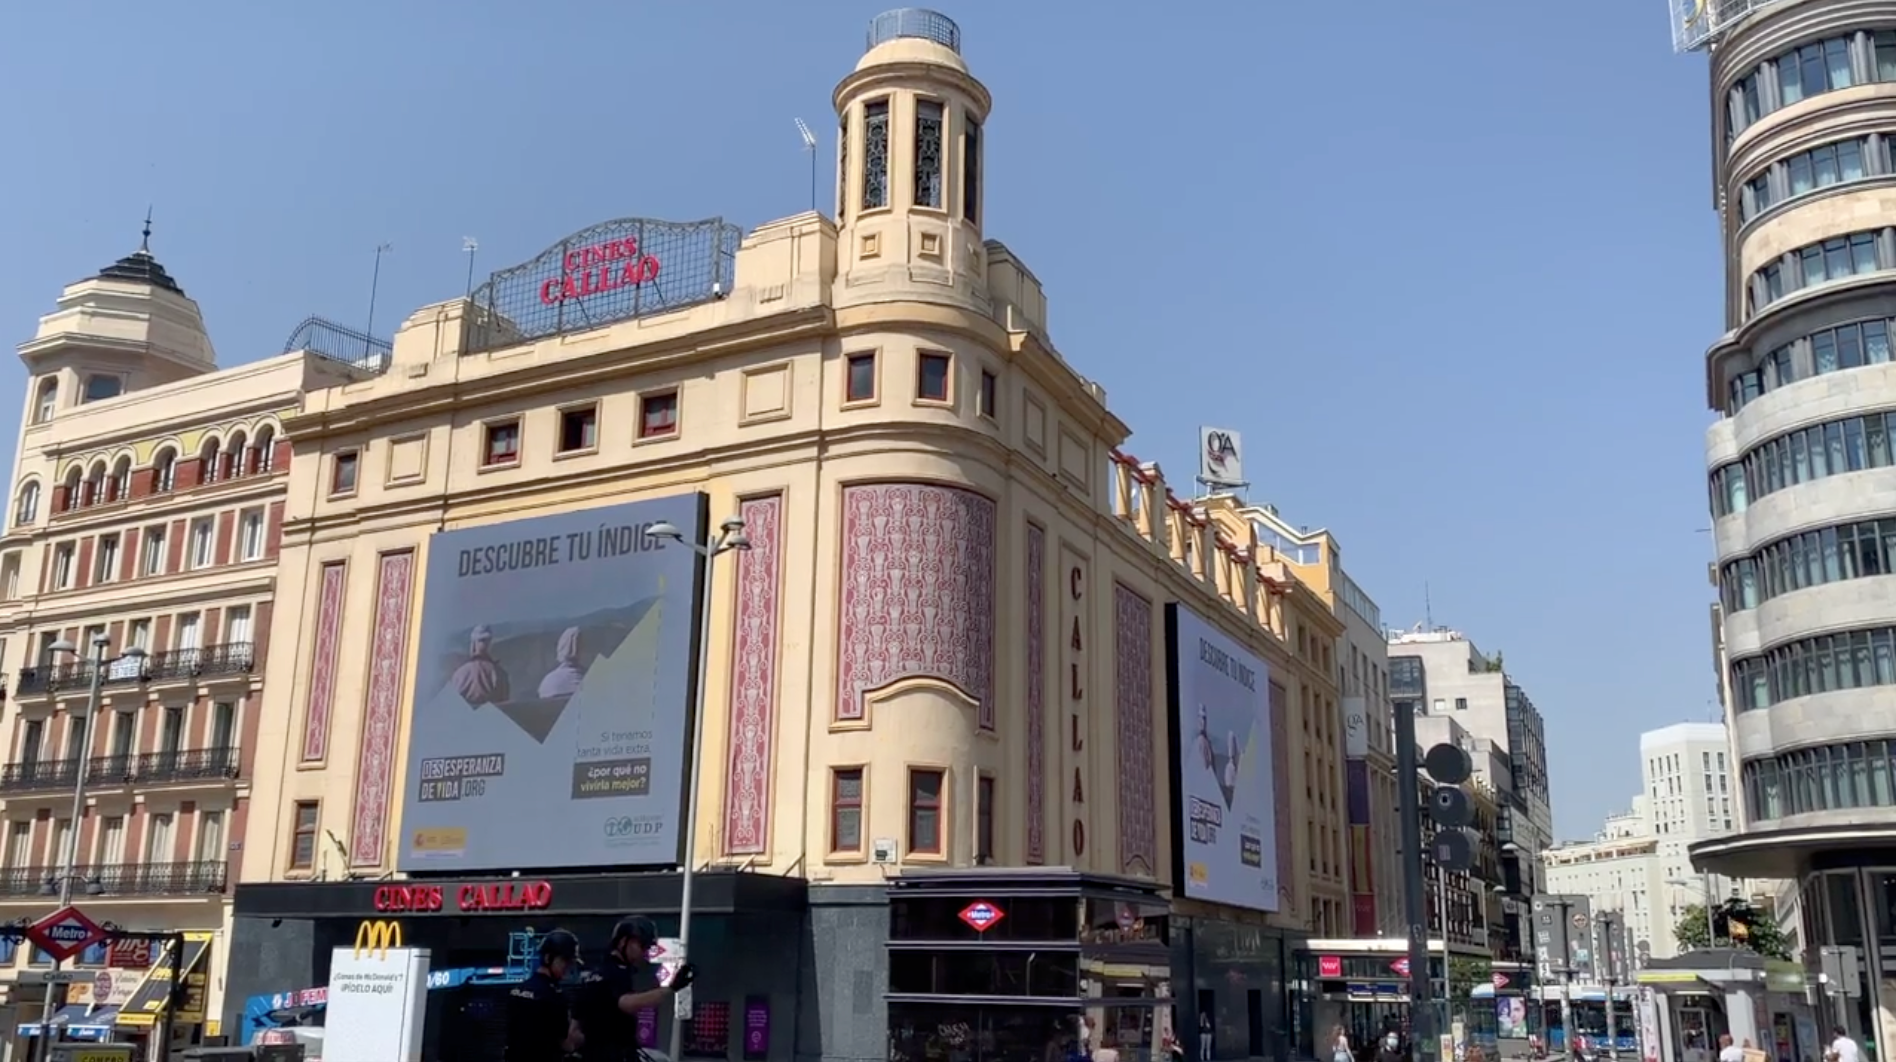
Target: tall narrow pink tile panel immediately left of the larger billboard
382	710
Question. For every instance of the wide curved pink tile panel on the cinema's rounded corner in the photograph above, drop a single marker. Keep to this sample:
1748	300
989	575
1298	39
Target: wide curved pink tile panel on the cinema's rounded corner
917	593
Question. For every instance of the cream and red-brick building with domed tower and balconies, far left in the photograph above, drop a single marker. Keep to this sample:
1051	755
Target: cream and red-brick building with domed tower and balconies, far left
147	504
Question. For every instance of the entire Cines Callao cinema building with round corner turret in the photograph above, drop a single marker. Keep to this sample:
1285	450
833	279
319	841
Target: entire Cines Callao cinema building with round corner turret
960	680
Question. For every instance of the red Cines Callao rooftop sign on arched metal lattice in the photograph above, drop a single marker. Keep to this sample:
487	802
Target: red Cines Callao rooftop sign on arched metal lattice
610	272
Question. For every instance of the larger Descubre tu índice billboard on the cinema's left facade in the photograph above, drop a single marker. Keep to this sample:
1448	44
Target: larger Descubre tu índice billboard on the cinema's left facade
553	691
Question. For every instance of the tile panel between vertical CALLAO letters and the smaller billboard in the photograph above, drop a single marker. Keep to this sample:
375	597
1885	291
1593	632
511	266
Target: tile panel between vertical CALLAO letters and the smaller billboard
1133	703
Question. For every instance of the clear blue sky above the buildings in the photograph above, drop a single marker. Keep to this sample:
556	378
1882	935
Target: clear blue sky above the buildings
1451	268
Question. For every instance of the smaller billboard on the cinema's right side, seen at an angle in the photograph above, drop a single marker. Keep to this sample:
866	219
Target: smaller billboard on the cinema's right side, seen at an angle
1222	771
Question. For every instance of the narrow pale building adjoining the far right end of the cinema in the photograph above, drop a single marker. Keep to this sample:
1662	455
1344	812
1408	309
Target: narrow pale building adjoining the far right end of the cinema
1368	727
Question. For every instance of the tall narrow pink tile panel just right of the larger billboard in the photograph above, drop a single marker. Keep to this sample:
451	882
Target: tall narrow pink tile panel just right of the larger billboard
754	678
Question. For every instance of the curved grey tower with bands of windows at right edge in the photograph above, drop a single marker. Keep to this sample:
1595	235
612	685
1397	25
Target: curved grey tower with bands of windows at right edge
1802	464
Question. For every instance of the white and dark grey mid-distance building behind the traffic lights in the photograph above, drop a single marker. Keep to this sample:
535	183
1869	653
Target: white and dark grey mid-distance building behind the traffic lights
1476	691
